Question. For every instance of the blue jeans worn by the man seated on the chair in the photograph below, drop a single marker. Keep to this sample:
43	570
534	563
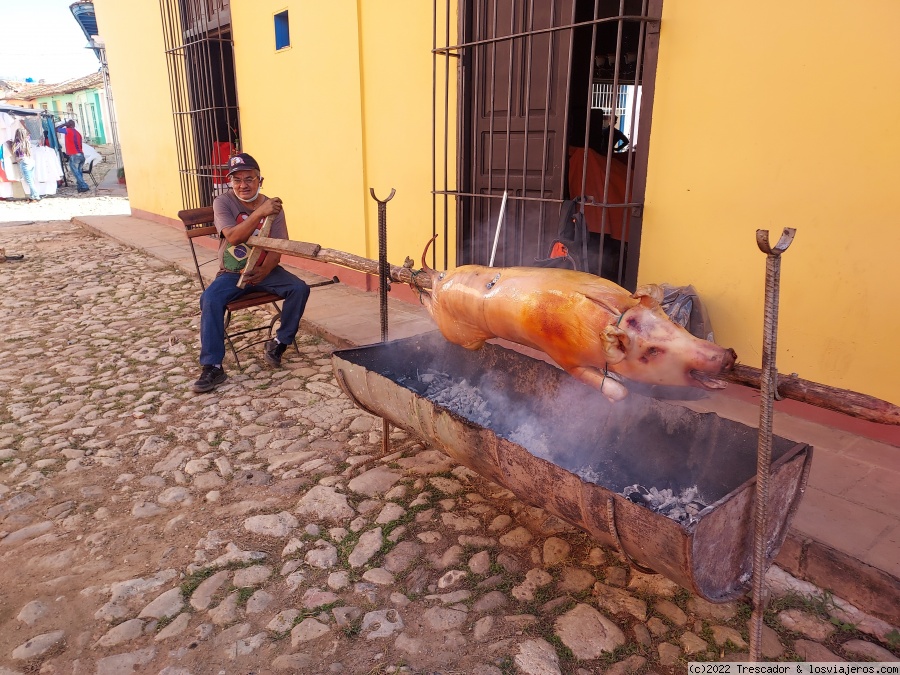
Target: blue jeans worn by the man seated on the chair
223	290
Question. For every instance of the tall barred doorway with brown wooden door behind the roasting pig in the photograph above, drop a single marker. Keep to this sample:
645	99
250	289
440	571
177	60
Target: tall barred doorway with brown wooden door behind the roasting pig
531	126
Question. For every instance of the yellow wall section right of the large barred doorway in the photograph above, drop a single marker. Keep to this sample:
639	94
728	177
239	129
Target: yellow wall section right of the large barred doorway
772	115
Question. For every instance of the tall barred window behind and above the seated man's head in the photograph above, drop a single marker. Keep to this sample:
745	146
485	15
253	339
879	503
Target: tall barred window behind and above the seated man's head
200	62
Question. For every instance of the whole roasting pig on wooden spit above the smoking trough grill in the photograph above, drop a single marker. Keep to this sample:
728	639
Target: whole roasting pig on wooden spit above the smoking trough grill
592	328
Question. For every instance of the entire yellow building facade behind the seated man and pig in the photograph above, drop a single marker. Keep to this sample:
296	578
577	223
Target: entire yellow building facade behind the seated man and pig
739	130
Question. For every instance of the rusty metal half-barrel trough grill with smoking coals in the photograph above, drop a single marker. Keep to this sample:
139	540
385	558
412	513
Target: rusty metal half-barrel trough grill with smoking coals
561	446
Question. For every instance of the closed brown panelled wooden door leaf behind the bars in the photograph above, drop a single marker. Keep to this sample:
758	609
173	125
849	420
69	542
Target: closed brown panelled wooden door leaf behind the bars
514	135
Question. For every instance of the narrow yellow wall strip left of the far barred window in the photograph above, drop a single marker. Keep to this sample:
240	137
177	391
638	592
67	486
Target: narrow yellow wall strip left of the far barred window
140	88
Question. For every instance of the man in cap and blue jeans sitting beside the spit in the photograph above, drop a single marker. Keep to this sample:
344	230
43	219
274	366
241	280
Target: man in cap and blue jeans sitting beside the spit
240	213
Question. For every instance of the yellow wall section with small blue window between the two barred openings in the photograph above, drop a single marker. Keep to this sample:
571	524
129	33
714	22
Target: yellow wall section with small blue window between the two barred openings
345	108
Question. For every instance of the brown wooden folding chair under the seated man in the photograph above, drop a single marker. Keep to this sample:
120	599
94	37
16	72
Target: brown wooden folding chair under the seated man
198	223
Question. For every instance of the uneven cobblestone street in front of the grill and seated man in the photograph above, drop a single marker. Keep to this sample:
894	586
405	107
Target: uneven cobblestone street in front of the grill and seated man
258	528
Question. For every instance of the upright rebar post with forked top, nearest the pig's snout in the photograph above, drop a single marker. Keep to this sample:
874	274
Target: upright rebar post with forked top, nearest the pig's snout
768	393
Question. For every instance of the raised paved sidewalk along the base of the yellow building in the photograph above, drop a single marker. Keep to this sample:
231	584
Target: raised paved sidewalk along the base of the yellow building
846	534
